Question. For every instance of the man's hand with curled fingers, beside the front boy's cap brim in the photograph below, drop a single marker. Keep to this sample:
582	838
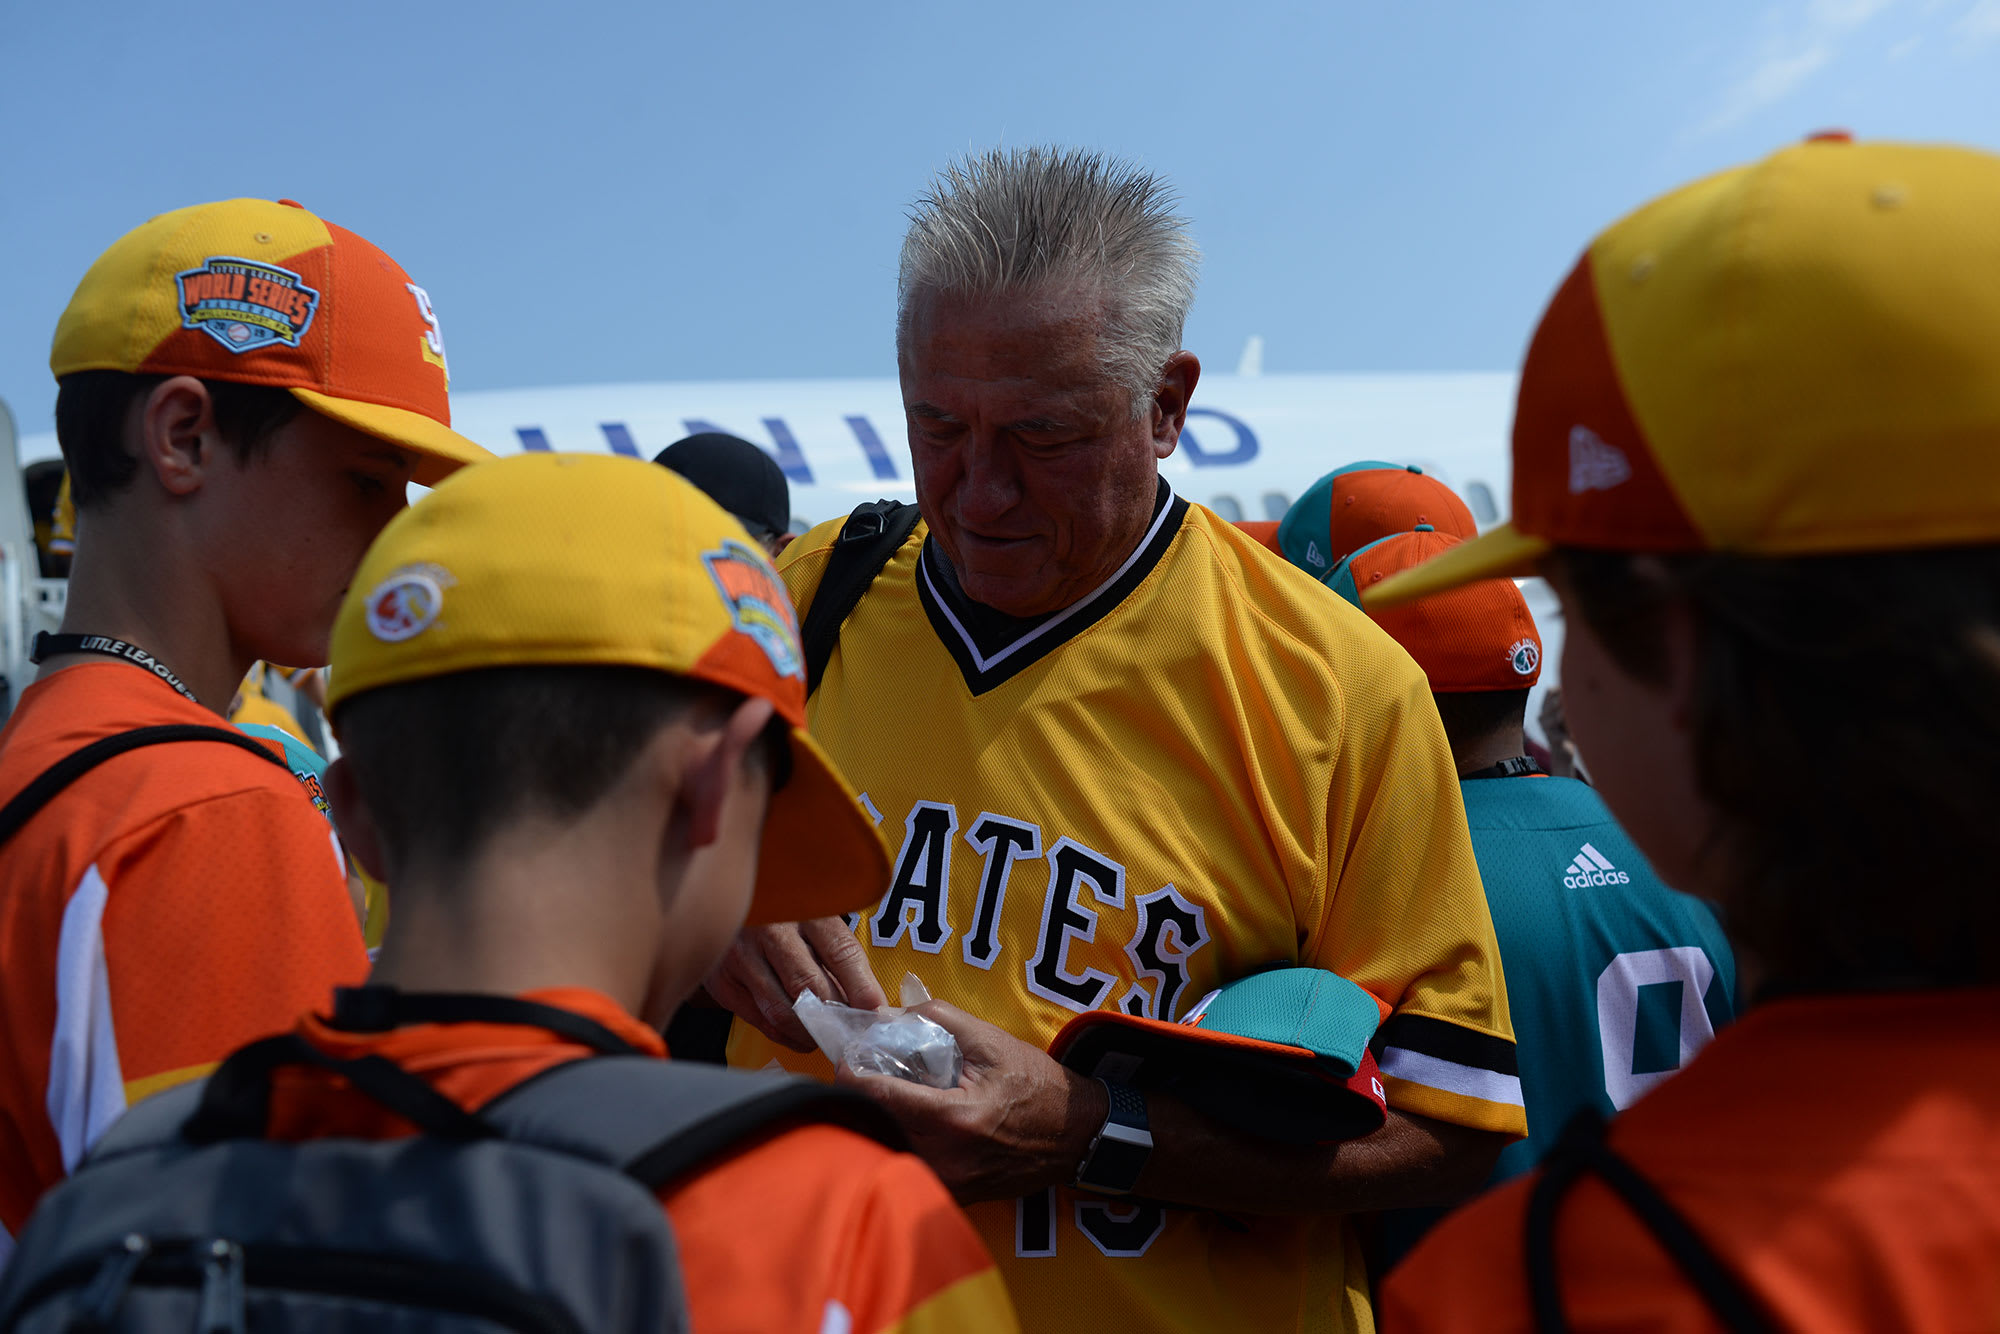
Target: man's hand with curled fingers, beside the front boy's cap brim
769	967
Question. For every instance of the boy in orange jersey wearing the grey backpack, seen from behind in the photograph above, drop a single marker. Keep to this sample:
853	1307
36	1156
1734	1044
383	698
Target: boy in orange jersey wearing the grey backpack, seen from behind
573	719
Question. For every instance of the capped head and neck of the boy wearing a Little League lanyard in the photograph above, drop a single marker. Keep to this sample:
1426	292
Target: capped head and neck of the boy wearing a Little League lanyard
253	387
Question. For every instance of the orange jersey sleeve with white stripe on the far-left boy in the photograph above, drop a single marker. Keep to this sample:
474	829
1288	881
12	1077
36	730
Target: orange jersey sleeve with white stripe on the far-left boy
177	943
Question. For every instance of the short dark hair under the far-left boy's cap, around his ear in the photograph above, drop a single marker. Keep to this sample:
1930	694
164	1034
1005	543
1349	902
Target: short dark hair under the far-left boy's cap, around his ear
91	413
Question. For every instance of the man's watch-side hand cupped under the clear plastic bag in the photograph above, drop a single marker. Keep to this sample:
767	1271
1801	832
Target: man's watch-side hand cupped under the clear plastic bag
1017	1123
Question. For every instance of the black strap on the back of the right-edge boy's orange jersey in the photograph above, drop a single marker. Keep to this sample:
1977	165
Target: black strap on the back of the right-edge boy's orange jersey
1585	1151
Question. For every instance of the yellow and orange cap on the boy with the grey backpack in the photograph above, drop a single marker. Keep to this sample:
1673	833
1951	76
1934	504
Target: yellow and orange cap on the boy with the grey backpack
591	559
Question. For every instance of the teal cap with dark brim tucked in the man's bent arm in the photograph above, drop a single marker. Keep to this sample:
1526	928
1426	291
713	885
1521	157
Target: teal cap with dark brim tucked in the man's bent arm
1281	1055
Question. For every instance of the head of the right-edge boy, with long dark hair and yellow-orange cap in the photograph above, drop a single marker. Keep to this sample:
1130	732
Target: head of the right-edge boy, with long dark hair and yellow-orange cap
1757	451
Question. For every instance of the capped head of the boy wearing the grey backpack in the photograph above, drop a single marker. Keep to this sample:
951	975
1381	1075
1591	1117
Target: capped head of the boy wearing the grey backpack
537	633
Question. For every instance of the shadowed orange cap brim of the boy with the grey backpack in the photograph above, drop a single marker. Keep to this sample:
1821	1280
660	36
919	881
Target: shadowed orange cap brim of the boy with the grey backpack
821	851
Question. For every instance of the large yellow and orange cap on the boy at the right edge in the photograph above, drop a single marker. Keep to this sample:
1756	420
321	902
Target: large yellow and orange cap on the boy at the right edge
1795	357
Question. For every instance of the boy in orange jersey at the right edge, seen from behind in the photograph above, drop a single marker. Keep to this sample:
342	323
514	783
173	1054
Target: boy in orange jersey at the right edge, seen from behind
1759	457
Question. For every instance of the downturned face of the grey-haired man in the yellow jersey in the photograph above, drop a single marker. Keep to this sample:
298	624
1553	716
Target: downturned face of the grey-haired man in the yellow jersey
1033	471
